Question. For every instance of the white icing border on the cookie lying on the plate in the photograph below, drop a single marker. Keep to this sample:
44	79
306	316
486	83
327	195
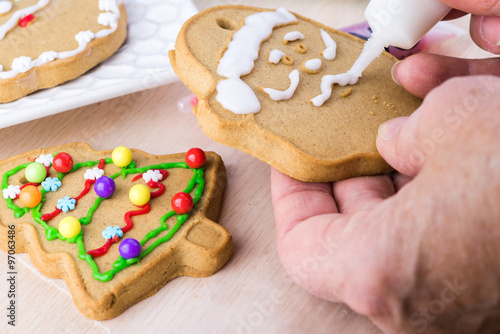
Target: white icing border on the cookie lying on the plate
23	64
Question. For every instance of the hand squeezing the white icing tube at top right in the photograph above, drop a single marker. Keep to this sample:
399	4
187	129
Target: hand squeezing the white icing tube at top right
420	73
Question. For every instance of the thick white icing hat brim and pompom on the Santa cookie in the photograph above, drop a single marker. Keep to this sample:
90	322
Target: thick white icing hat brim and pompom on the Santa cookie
243	50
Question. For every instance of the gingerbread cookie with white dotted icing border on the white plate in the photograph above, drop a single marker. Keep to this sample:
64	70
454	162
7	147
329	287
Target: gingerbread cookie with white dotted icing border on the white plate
47	42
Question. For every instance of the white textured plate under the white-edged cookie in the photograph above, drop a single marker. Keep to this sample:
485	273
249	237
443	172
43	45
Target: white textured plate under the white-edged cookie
141	63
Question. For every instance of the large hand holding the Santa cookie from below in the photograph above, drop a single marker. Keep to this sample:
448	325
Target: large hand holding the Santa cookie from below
416	253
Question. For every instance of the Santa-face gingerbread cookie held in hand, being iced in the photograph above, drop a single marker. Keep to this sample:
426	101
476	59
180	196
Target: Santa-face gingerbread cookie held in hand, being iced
263	79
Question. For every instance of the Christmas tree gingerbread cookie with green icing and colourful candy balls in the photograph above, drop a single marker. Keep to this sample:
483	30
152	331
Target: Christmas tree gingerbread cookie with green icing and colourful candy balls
115	225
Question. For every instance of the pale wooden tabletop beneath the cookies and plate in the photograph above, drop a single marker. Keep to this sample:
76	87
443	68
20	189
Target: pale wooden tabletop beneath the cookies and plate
252	293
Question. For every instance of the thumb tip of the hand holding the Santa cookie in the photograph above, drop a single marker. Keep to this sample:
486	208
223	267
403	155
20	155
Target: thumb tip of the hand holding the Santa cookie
396	143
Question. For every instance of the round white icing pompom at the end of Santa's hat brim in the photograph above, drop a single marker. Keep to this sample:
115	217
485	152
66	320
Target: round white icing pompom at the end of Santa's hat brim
237	96
